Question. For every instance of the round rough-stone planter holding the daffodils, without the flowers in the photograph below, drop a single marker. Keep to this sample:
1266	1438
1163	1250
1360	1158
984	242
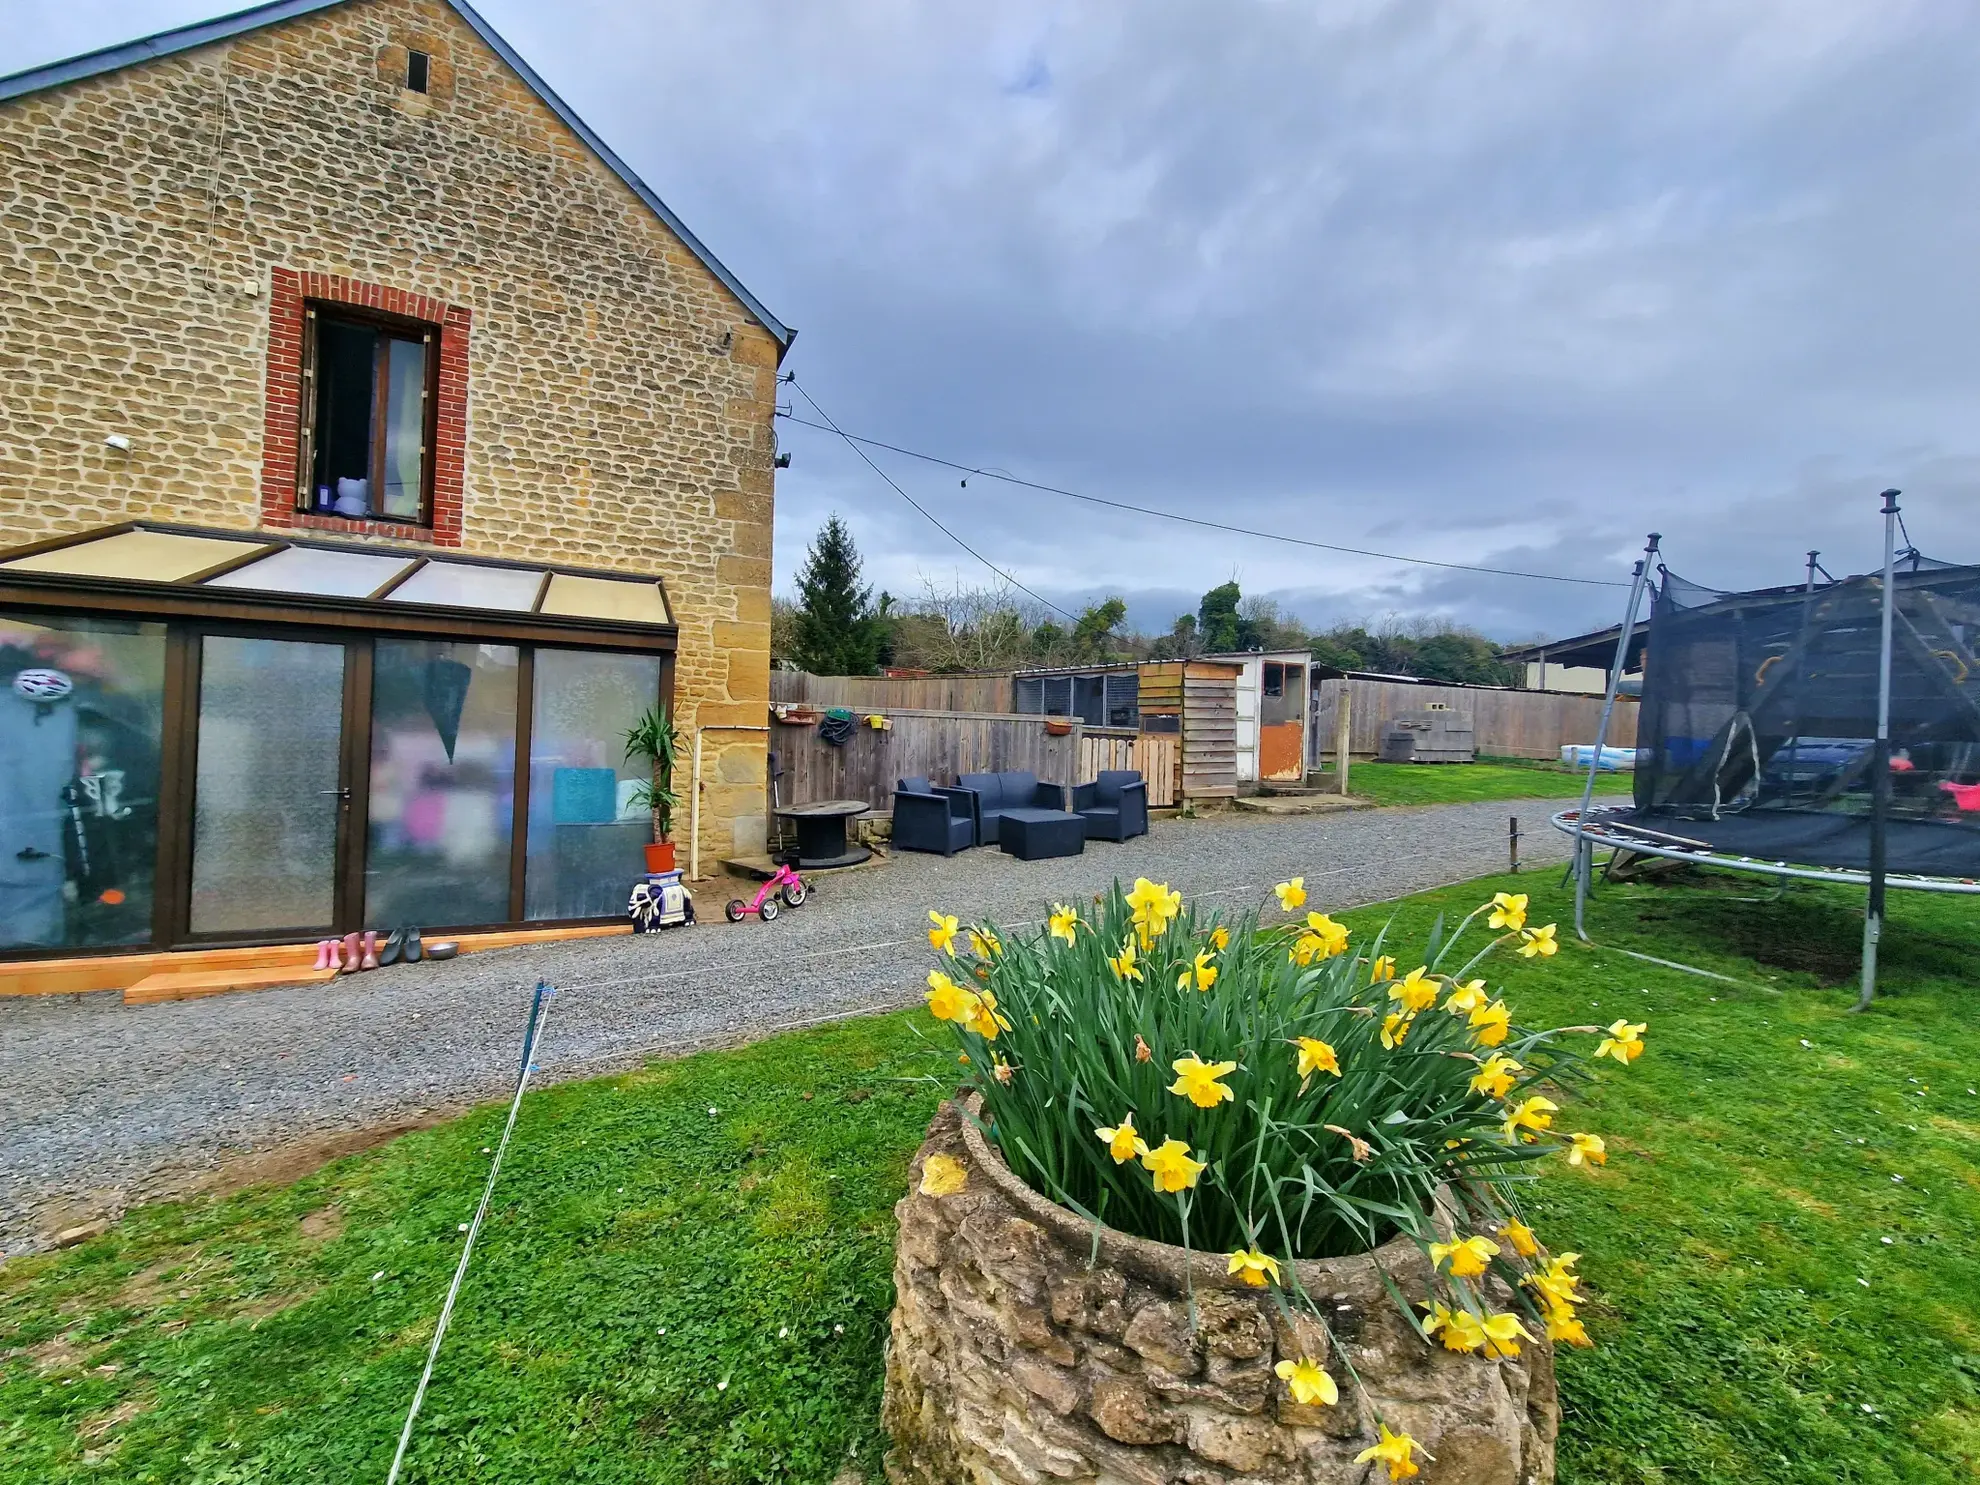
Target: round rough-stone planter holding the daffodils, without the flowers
1015	1363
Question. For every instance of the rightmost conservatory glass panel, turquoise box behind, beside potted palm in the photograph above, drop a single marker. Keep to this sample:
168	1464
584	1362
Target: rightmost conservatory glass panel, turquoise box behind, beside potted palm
585	841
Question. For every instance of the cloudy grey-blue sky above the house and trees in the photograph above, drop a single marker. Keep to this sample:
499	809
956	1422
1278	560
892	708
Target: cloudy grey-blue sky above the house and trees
1504	284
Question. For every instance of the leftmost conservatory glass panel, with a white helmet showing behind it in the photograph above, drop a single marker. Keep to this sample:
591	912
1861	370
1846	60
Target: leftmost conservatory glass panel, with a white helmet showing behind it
80	722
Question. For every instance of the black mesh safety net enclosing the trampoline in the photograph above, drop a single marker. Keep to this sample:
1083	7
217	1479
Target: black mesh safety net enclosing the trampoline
1759	720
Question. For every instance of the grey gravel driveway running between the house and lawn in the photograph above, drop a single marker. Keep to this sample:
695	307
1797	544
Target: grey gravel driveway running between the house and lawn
106	1104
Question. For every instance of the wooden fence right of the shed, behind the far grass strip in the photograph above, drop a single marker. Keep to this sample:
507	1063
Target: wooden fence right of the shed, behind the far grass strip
1506	724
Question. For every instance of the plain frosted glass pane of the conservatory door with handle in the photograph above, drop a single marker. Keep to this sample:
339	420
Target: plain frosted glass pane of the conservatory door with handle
264	819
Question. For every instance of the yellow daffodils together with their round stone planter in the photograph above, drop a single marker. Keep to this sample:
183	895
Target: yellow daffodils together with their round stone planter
1235	1199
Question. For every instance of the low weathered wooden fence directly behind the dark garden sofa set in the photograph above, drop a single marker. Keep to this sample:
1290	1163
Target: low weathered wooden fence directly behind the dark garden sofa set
943	745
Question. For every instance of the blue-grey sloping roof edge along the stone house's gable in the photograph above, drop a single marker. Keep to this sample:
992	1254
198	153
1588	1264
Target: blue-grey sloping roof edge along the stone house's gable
241	23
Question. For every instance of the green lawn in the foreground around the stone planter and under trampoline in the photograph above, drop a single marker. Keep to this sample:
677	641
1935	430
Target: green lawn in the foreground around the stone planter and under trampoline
1783	1250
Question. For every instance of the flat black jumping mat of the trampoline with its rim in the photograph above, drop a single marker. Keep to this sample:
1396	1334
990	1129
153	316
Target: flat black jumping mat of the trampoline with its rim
1928	848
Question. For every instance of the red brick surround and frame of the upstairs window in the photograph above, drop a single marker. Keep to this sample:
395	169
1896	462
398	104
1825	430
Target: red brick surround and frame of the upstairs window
286	482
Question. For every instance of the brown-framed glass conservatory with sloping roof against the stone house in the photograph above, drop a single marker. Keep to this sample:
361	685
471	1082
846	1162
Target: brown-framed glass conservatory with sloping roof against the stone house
221	738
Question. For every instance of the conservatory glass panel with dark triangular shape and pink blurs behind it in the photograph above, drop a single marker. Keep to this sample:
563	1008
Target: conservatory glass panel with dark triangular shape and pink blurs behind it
443	783
